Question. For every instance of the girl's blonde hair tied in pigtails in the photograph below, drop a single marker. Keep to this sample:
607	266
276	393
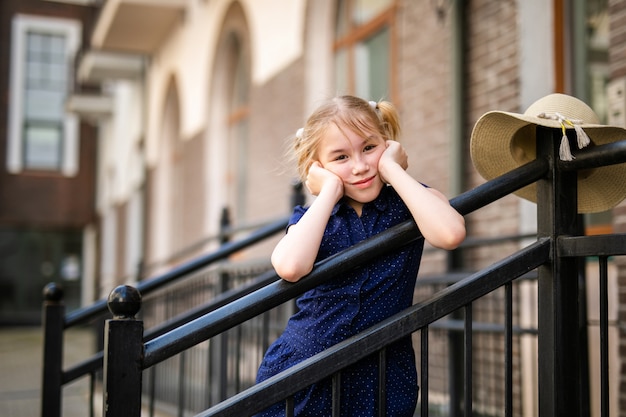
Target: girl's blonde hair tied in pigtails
354	113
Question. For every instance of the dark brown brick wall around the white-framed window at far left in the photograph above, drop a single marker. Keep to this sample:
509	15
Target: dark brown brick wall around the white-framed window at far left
39	199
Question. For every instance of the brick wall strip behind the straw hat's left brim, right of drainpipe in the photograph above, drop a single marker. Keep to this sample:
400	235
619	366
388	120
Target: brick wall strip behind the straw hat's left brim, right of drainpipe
492	83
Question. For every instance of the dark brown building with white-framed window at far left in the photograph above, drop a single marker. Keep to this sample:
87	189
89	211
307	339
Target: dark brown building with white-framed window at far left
47	184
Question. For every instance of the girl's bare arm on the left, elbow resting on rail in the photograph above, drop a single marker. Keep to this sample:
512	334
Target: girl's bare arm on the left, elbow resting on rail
295	253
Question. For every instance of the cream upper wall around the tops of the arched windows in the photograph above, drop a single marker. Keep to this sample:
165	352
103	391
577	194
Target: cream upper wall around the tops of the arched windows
276	30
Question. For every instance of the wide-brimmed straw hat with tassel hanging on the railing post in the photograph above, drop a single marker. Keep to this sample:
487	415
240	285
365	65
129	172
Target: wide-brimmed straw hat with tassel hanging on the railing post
502	141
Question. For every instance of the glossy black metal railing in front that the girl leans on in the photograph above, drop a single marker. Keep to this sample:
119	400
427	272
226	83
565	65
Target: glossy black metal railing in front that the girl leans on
554	255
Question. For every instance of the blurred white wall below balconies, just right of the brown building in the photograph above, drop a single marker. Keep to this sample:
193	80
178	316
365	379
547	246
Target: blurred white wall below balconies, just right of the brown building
120	176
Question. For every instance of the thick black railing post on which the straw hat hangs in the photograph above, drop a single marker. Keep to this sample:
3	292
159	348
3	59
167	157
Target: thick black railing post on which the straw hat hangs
558	342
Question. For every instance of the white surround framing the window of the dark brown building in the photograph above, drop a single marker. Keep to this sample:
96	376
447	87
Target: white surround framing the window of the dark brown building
21	25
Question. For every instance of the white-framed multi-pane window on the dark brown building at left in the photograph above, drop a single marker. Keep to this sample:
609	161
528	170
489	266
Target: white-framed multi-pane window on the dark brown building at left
42	136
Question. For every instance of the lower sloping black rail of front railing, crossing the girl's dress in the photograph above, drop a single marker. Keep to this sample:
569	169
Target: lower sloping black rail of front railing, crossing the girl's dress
351	350
